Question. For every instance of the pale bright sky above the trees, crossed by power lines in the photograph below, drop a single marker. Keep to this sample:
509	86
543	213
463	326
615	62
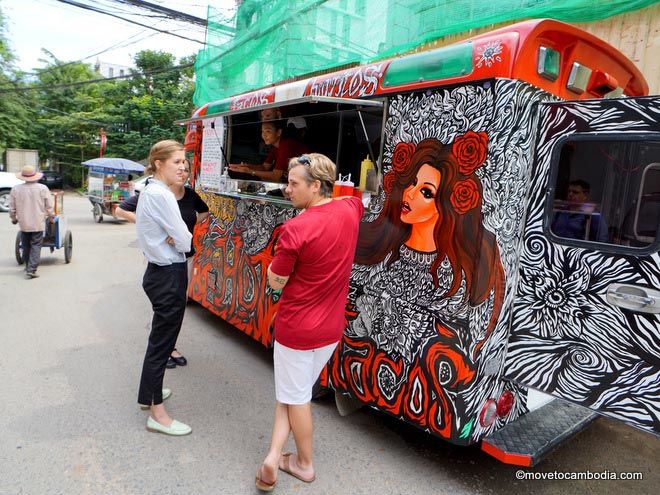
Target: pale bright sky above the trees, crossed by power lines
72	33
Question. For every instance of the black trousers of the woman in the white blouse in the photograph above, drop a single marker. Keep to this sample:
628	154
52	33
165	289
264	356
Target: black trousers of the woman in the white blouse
166	288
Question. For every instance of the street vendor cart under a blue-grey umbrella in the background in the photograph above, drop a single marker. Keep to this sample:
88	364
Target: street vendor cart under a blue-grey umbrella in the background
109	183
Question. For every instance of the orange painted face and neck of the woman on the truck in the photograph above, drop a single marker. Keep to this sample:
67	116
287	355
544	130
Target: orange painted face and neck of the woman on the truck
418	200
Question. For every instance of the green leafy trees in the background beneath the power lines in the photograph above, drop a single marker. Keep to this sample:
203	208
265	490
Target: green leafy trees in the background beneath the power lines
63	119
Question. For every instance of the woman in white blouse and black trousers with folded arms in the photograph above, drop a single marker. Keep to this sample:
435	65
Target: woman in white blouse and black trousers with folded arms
164	239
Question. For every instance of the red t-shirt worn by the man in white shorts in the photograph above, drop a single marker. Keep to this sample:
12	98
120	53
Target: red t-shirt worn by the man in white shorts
315	250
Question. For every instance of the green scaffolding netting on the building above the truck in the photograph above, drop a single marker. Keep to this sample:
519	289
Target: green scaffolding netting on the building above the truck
265	41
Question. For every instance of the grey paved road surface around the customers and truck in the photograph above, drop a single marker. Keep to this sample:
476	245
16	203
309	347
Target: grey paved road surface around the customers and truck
73	342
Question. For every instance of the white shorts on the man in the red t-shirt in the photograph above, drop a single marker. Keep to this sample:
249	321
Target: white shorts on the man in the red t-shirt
296	372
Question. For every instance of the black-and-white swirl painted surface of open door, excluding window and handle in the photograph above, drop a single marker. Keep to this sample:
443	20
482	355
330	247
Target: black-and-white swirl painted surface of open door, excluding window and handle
566	338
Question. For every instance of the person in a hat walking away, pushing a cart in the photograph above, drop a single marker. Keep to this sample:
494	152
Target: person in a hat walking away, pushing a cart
30	204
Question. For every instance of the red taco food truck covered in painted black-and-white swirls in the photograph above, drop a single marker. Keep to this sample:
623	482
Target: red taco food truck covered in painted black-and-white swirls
537	305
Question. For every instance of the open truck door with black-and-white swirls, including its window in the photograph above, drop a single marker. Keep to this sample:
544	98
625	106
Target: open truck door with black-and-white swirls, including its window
586	320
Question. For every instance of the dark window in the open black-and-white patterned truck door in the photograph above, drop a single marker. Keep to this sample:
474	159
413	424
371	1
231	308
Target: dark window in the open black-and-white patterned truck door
606	191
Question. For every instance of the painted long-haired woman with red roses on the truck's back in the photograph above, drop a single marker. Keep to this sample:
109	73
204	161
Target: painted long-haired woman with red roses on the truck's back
431	259
